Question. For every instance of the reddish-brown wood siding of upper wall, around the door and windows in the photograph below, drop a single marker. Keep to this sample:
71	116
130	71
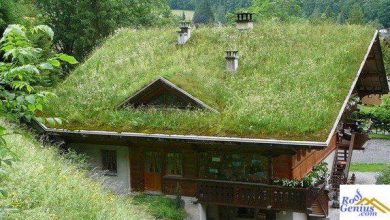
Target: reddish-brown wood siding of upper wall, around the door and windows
283	166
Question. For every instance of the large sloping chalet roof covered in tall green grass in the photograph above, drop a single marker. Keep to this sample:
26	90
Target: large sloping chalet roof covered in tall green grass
291	83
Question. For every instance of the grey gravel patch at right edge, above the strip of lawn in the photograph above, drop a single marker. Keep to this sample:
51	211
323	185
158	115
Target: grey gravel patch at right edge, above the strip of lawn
377	151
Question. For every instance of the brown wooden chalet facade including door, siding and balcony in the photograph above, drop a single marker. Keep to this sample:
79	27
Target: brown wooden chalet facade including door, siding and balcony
228	191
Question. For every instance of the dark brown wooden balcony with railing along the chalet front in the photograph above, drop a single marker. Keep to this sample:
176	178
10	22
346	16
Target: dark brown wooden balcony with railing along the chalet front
242	194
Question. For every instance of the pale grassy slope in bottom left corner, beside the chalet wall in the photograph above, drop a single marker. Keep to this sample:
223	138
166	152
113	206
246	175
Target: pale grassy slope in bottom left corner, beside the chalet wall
44	185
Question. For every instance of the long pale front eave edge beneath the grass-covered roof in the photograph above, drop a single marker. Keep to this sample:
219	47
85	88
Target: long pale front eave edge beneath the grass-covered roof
128	138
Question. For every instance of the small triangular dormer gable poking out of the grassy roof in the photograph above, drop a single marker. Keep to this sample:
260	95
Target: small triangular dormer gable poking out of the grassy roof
165	94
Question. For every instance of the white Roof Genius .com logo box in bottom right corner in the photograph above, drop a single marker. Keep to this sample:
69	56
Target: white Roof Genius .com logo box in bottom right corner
364	202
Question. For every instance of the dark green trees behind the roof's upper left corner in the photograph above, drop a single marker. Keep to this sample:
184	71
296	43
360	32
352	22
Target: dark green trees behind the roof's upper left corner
81	25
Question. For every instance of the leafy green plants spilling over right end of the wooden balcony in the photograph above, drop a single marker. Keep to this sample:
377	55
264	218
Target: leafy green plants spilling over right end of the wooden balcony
317	175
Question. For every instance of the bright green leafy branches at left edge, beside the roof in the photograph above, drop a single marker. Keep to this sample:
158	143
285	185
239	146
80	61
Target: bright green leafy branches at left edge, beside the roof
27	69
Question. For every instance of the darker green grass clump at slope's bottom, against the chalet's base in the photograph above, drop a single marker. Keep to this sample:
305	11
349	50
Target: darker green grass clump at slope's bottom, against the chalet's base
160	207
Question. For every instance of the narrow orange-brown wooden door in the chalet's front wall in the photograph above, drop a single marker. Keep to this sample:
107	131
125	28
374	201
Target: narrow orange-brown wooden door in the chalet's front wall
152	173
